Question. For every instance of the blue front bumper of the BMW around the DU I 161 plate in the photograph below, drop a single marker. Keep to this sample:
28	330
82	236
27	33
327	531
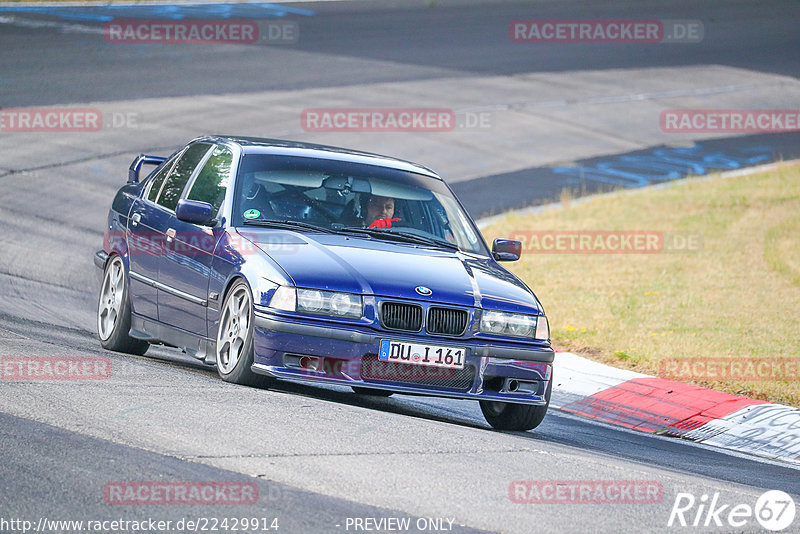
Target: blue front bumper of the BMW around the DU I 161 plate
345	355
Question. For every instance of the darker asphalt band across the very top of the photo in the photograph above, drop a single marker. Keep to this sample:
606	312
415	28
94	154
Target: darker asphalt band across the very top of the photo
347	42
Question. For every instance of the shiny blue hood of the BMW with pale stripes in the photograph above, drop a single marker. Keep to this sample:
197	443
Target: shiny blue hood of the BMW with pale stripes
387	269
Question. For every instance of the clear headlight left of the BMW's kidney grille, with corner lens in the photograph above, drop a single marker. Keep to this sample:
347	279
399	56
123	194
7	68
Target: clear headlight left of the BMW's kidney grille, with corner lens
318	302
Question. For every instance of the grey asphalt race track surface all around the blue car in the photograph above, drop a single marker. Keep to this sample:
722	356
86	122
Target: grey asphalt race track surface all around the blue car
322	455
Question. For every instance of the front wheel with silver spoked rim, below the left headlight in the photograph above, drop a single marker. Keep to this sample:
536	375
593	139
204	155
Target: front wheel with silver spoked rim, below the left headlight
235	351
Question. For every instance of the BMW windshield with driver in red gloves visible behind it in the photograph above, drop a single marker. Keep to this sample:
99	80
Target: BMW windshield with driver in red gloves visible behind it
346	197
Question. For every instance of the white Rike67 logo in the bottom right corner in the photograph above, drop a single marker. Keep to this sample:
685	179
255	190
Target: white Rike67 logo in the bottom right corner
774	510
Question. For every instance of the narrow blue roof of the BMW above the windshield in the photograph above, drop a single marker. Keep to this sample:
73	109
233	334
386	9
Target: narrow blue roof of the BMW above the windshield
258	145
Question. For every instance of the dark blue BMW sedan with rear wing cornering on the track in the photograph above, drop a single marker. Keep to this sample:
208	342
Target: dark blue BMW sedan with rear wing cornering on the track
283	260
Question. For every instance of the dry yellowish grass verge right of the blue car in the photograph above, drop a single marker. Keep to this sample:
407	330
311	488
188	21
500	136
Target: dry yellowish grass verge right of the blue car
734	294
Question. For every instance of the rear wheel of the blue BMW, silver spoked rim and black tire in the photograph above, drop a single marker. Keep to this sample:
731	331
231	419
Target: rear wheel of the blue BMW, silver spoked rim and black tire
114	311
